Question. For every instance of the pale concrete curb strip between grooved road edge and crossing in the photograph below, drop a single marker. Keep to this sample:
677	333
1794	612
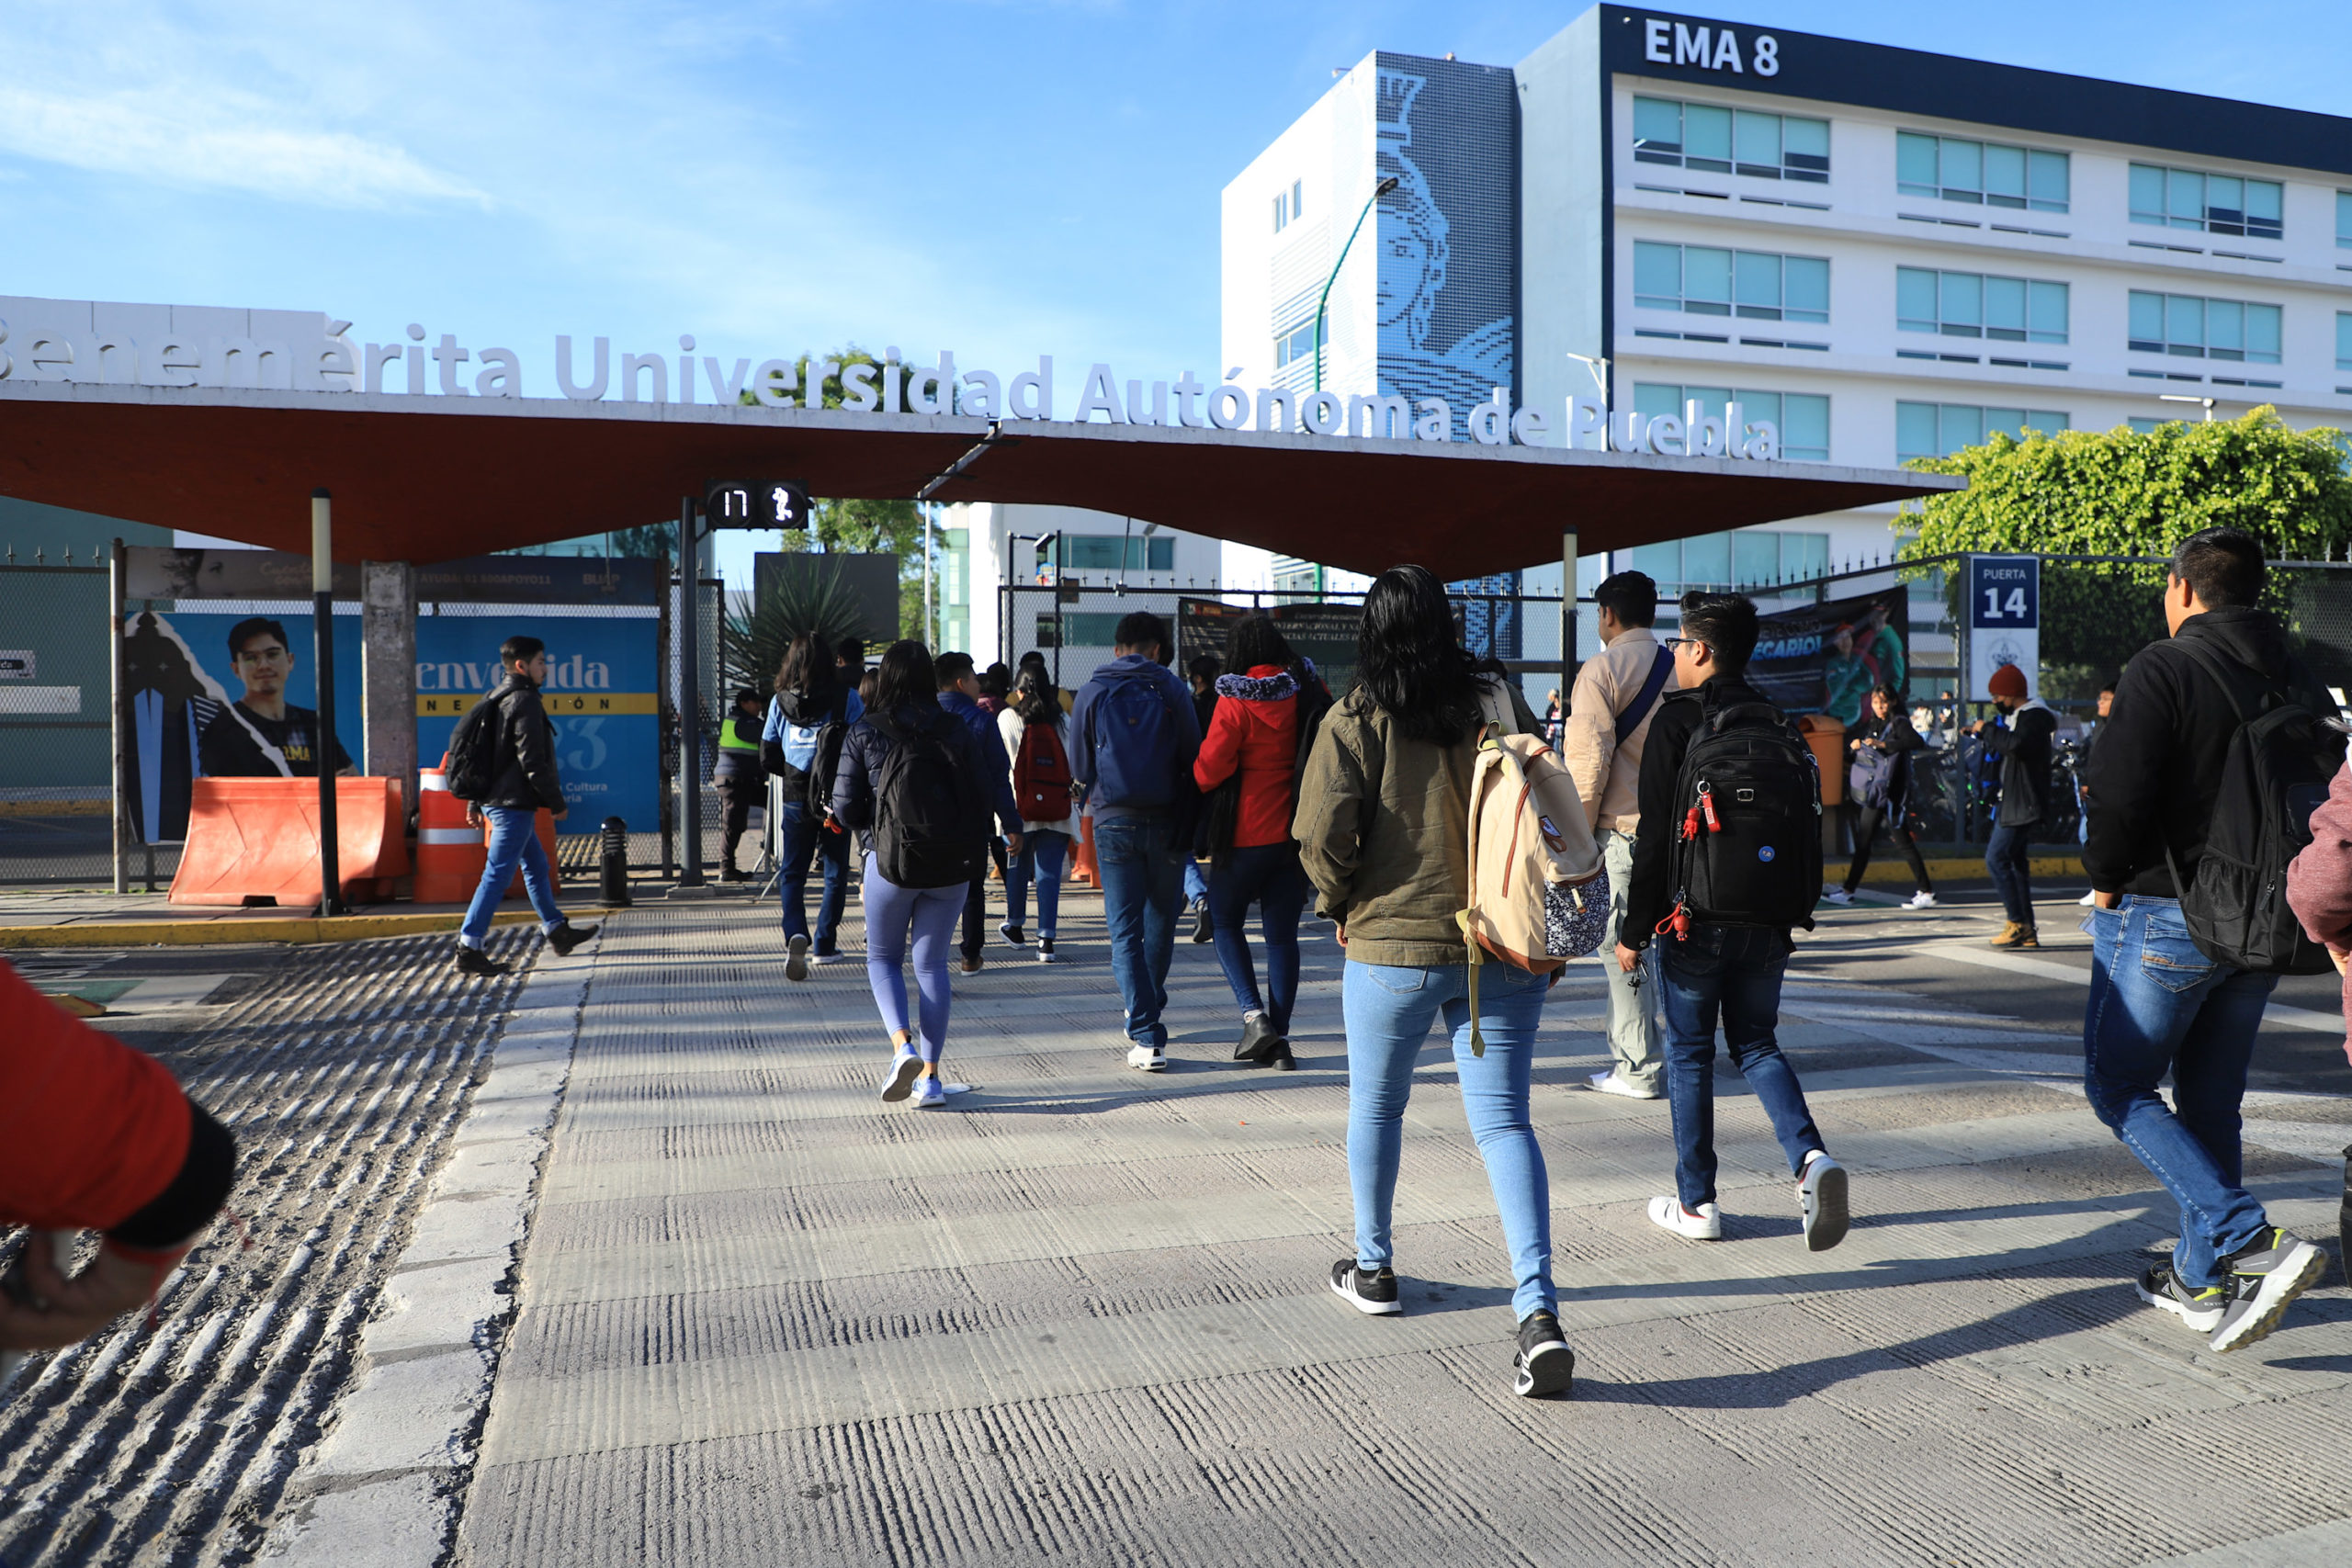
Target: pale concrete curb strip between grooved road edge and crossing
382	1487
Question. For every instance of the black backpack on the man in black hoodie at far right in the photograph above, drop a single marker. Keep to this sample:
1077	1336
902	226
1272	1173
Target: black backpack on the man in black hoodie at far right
2276	775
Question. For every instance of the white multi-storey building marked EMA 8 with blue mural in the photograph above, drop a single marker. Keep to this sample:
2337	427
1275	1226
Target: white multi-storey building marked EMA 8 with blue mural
1885	253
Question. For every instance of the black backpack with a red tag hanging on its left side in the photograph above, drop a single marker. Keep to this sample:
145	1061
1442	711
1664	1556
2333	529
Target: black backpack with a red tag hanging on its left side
1751	822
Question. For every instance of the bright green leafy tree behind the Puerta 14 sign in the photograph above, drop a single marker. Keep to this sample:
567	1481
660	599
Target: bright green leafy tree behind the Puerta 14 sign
2123	492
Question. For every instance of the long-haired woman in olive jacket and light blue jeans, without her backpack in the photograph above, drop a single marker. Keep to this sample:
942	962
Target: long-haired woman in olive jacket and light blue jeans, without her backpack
1384	836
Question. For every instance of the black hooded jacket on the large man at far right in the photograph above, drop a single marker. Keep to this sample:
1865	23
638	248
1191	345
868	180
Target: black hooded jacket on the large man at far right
2160	753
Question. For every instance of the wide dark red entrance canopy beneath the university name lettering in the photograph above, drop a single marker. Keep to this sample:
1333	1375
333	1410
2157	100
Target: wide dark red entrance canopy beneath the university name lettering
425	478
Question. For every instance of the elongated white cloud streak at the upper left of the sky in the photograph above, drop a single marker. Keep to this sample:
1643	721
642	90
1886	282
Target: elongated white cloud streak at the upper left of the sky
215	142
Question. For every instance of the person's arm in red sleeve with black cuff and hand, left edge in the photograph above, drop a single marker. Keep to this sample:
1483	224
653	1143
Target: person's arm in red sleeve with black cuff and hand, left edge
95	1137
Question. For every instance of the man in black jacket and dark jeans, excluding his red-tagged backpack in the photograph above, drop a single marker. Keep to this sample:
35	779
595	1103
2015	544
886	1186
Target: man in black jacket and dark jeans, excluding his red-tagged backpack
1706	972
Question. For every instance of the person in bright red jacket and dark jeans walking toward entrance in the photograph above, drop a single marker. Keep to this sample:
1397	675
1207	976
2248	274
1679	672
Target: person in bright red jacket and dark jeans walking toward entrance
1267	713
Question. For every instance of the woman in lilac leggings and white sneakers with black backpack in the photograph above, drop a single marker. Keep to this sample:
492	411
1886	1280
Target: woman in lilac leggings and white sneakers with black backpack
921	786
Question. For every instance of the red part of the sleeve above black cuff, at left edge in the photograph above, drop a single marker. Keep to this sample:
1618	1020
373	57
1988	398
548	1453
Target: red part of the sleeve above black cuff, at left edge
91	1132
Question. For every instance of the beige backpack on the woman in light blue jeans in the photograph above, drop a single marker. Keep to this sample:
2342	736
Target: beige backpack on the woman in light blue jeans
1539	894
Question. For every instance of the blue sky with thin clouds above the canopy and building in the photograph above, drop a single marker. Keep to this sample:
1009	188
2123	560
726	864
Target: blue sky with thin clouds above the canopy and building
996	177
